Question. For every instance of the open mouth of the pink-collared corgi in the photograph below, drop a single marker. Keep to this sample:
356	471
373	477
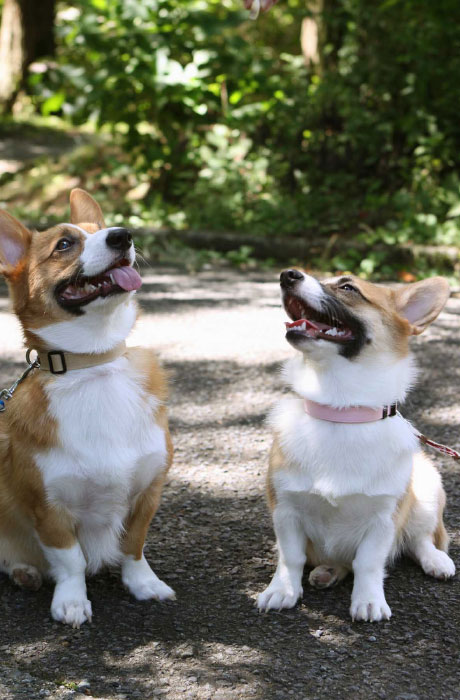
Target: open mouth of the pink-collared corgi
310	323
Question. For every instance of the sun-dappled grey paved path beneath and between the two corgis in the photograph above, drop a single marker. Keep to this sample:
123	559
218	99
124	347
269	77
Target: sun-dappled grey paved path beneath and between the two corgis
221	335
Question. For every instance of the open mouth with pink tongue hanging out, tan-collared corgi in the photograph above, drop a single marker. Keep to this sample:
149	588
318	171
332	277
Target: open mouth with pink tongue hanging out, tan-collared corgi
80	290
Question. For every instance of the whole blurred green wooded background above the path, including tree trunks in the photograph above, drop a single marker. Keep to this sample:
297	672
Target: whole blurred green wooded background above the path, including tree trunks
329	128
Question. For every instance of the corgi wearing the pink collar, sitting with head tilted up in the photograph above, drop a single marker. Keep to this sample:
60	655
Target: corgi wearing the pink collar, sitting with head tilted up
348	486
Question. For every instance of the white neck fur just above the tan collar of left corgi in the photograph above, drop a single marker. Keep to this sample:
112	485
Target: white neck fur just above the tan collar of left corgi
89	333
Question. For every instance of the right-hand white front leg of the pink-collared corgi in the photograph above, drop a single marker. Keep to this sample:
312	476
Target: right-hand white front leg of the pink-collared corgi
368	599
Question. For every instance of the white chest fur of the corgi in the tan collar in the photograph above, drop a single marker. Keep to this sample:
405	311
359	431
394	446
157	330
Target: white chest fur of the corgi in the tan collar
110	449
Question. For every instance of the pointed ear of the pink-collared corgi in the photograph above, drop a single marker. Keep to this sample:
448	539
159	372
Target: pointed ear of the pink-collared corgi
421	302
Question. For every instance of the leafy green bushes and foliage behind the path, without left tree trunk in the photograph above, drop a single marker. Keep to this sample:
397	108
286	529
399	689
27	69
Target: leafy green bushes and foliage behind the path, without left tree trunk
225	126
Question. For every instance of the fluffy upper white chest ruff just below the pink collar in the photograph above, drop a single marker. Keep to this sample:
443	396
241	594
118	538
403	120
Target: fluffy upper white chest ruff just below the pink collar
334	460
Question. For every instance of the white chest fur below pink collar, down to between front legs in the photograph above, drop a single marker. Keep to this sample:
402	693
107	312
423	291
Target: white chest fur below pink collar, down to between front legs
339	477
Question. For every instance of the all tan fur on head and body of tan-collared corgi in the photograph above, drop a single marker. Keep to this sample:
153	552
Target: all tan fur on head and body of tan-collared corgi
26	427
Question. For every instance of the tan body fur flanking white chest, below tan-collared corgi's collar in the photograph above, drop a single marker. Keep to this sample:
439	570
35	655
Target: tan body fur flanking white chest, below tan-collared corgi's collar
27	428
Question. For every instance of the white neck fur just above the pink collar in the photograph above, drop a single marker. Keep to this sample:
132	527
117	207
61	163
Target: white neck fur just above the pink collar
375	382
